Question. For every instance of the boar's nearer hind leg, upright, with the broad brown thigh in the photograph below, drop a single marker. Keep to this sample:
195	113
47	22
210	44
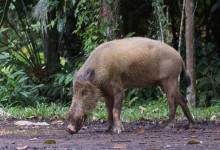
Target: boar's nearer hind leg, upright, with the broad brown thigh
170	87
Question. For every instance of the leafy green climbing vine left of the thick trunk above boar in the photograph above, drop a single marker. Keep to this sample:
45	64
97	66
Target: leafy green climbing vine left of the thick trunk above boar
87	14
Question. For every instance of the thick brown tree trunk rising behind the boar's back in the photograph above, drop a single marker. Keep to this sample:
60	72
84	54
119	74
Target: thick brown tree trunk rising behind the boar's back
110	21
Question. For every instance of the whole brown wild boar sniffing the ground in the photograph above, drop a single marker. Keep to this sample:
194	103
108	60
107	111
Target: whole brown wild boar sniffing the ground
126	63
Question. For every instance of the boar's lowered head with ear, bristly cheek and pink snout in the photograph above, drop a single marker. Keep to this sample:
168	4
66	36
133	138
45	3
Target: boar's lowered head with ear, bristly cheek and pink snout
85	97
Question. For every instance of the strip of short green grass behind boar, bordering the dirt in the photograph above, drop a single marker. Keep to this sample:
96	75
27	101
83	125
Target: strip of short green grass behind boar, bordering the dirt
150	110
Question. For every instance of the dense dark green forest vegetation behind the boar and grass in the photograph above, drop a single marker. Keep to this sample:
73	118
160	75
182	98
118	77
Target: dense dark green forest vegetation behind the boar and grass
42	43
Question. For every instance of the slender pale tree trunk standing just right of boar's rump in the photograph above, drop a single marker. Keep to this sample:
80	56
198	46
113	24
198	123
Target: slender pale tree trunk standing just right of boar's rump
190	50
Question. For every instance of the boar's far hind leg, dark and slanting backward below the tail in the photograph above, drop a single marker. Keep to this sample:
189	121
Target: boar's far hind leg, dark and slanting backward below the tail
183	103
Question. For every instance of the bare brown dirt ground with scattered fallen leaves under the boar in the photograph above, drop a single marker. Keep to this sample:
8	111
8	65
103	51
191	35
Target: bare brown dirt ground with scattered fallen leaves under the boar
146	135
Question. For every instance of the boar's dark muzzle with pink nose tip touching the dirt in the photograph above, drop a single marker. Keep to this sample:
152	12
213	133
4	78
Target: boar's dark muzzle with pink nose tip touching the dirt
75	125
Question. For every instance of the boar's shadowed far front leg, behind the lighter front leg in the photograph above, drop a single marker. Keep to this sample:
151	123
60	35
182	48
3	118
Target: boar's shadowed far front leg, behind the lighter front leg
109	101
